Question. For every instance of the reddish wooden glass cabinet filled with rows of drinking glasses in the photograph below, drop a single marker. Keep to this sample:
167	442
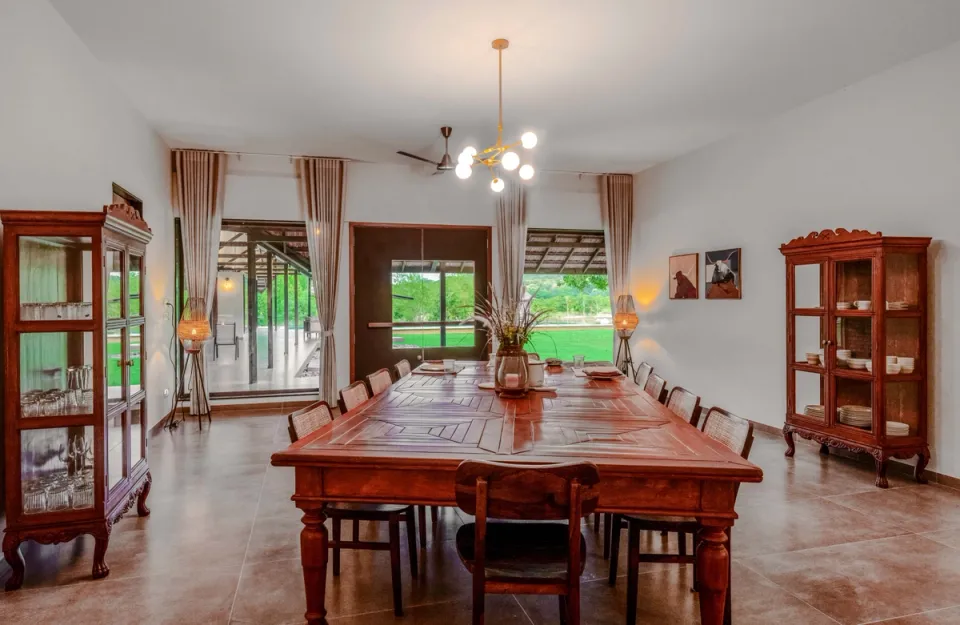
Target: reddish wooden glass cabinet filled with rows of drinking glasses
74	396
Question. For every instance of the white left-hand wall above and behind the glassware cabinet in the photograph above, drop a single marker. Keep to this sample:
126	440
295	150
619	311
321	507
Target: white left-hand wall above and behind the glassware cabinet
67	134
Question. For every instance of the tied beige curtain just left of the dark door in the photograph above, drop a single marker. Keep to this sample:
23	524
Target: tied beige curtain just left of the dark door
320	191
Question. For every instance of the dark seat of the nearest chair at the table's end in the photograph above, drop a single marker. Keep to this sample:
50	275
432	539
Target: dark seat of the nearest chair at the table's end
521	550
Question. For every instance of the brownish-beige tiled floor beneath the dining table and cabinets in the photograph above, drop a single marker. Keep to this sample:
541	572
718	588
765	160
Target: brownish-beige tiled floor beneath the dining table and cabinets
816	544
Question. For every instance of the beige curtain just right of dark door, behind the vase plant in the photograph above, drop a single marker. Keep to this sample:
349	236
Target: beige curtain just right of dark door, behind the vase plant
512	240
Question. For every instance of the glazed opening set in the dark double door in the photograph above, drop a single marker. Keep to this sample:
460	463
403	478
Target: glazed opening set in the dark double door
433	303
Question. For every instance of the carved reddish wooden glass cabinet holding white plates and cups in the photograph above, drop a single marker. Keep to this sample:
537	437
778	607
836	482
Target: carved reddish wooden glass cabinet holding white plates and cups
857	345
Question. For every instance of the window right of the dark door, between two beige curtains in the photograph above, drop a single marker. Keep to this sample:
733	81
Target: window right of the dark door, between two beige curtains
566	275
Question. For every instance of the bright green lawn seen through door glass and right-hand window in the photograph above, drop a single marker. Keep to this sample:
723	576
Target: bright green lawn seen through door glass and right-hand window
593	343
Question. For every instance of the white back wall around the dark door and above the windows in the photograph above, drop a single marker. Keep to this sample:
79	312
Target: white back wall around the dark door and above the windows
388	193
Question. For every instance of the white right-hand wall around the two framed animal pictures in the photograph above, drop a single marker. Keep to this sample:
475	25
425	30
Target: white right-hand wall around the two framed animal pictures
883	154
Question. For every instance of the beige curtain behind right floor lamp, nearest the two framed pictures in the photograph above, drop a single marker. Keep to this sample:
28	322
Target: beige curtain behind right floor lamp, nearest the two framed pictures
616	212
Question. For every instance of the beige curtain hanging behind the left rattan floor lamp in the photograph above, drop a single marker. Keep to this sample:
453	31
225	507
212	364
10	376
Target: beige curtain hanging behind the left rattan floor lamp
198	182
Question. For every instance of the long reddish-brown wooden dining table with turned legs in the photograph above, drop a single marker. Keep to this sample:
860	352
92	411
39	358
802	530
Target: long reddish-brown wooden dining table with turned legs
404	446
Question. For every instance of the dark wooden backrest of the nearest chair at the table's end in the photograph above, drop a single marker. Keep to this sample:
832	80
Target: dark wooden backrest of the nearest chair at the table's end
528	492
